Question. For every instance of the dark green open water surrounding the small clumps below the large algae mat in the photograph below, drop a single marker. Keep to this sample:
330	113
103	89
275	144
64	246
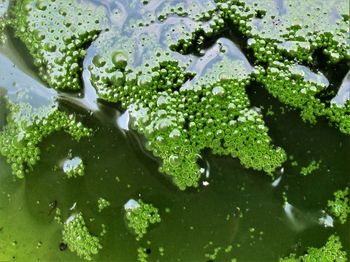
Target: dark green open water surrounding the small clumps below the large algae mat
239	207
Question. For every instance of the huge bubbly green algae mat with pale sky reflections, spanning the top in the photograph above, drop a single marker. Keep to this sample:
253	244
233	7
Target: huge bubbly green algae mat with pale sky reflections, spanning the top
183	103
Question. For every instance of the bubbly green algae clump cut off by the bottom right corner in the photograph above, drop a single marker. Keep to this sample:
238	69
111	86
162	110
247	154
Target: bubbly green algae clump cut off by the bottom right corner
330	252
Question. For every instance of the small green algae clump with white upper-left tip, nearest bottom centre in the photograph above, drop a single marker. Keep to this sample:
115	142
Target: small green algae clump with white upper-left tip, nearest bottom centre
140	216
